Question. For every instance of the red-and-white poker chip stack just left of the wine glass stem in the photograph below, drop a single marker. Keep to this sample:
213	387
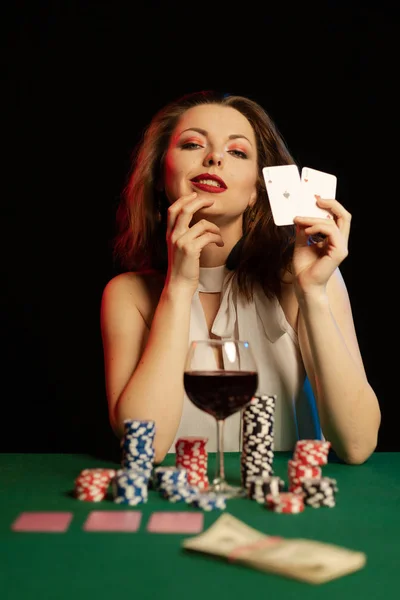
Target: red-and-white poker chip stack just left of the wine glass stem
191	454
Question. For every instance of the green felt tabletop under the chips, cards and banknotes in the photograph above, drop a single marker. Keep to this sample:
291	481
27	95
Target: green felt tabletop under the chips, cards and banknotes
98	565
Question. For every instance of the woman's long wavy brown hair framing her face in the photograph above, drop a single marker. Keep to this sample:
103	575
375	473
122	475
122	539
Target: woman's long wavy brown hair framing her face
265	250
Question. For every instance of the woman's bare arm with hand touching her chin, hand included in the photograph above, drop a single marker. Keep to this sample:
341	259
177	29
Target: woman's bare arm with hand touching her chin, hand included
144	364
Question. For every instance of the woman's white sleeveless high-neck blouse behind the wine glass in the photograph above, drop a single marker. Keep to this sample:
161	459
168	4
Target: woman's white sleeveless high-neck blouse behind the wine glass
280	368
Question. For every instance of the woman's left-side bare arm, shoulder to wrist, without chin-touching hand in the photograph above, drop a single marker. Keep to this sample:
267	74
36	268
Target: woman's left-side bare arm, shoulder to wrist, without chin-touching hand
143	368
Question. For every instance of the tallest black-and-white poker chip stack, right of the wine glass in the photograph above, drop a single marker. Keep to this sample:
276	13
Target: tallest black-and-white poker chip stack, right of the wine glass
257	453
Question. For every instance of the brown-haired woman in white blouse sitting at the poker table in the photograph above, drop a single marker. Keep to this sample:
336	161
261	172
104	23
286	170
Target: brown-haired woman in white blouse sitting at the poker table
202	258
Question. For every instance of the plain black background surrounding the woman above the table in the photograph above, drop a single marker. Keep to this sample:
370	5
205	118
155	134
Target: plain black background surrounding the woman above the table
81	80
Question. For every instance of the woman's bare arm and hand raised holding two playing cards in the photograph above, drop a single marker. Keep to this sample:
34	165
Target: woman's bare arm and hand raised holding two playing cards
348	408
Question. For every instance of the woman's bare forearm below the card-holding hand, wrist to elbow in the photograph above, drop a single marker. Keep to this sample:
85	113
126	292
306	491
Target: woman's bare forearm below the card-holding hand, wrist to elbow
348	408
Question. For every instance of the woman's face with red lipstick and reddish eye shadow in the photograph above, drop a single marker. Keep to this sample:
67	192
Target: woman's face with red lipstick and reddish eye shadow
213	151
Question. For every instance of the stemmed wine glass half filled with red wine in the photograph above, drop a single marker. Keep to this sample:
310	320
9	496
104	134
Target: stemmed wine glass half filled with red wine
220	378
